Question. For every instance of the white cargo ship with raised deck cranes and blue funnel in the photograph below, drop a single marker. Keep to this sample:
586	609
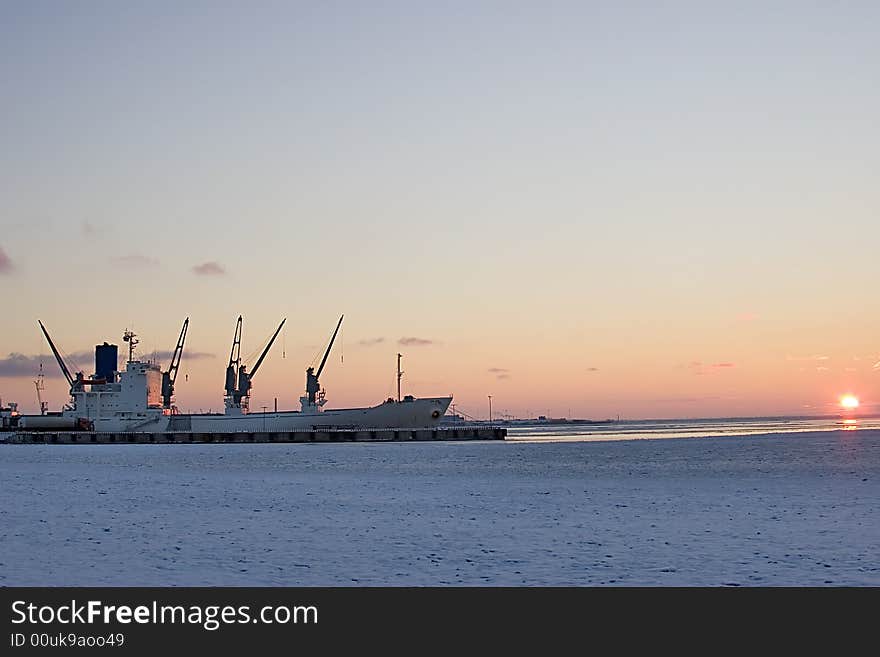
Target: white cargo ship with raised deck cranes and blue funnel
140	399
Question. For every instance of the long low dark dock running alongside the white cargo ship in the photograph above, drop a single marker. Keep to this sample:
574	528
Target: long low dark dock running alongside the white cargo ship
316	436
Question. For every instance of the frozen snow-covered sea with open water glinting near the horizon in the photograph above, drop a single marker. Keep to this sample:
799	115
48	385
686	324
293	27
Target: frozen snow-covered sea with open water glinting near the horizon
711	504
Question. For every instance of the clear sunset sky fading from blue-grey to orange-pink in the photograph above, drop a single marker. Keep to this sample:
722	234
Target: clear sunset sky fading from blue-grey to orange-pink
583	209
